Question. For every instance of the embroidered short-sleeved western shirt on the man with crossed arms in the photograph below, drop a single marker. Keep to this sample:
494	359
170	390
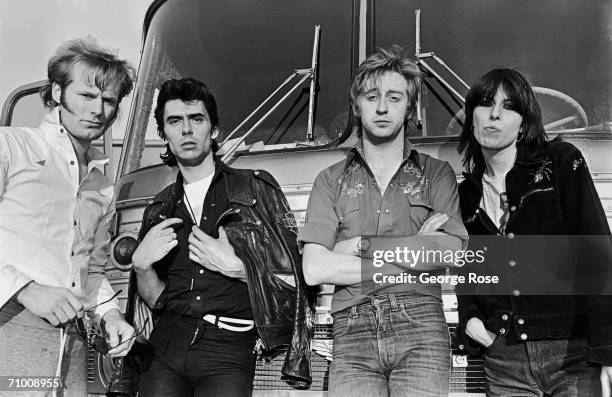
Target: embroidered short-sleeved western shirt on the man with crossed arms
346	202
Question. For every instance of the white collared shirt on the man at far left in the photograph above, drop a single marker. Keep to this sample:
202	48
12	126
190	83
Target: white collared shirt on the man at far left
53	230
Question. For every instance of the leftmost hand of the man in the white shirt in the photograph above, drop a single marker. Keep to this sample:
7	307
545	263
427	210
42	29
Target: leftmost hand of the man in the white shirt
55	304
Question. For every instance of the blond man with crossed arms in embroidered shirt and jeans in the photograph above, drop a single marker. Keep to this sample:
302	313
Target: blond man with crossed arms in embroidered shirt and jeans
389	339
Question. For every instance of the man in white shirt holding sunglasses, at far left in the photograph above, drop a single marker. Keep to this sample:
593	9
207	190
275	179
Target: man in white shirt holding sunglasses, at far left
56	205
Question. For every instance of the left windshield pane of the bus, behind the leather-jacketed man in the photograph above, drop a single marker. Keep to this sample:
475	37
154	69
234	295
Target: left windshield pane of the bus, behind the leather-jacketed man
243	50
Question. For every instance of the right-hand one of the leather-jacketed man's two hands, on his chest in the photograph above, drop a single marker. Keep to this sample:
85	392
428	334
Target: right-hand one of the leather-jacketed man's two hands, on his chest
215	254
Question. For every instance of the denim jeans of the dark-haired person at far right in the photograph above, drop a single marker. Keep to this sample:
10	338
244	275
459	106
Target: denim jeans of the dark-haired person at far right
556	368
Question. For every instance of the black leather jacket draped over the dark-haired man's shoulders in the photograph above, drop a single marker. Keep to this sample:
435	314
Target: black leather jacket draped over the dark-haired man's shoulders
263	231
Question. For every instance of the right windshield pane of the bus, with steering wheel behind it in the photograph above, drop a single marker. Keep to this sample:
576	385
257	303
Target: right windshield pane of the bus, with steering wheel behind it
563	48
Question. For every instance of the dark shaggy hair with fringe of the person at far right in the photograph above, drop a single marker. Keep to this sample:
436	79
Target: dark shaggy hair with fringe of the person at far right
523	101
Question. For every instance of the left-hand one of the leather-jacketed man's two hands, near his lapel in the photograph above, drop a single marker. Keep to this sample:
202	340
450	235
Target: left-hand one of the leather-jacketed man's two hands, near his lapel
156	244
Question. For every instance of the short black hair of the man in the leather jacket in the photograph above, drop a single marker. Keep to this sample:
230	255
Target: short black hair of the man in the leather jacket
187	90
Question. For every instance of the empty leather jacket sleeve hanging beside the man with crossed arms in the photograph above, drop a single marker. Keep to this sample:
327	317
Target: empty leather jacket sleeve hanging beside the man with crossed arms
296	368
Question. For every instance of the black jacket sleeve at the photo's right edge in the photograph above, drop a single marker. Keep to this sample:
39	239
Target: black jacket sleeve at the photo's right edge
585	217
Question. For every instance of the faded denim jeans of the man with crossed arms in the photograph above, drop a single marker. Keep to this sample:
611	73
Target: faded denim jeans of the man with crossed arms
394	345
